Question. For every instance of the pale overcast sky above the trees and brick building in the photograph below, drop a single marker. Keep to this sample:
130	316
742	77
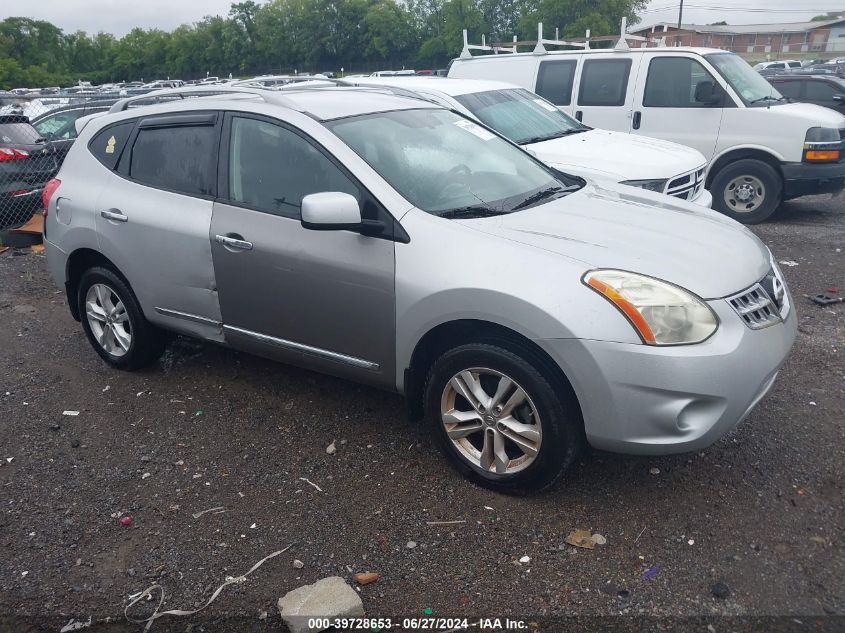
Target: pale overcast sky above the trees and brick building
119	16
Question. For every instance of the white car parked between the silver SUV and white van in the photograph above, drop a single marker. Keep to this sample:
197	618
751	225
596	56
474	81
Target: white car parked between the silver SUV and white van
562	142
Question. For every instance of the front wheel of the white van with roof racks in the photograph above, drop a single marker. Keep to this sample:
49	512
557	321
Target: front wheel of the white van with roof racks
749	191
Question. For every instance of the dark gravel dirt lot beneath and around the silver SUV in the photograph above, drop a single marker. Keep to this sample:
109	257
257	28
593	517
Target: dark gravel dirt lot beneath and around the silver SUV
762	511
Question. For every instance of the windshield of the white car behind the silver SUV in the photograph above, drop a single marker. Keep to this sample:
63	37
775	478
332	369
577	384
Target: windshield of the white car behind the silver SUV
520	115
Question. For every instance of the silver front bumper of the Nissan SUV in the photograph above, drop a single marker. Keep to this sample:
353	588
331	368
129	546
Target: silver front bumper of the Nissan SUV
640	399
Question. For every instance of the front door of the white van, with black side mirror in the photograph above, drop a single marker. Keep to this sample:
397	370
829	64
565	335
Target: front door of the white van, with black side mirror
666	106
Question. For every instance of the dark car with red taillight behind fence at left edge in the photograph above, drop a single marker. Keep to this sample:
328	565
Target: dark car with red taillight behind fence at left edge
27	162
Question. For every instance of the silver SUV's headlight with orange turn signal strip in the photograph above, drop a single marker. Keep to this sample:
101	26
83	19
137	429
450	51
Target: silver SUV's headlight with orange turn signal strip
660	312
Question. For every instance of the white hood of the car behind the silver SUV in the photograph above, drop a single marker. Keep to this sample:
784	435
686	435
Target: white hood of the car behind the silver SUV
618	155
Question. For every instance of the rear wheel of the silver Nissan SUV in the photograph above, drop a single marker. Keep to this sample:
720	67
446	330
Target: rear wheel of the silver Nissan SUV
130	341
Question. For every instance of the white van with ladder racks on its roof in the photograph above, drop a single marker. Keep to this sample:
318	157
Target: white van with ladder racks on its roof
761	149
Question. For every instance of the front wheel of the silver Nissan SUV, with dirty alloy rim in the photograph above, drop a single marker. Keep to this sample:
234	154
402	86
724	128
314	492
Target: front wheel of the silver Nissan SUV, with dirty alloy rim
549	420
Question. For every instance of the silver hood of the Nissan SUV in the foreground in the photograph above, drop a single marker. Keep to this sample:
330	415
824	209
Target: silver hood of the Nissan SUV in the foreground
628	229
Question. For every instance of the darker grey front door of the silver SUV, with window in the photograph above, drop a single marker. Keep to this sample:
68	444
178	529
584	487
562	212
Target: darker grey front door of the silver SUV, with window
320	299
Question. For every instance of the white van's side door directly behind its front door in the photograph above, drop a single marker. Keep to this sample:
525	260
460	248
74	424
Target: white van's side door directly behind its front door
605	90
